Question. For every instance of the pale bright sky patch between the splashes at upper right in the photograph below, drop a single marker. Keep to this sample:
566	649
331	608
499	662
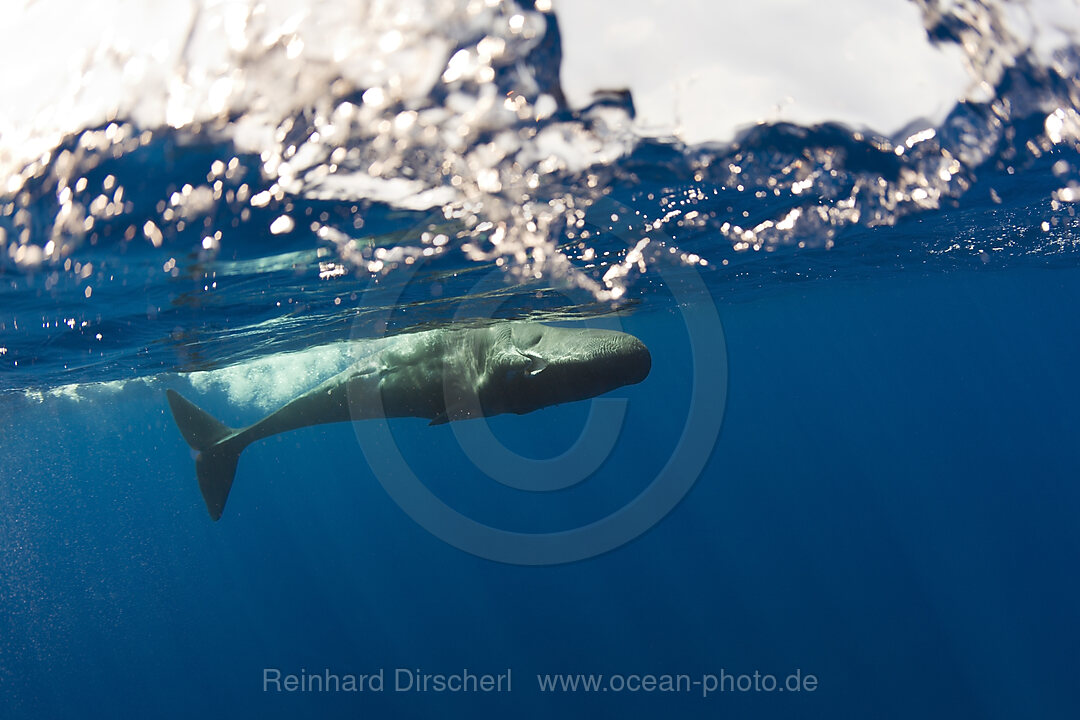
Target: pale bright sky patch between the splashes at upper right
704	70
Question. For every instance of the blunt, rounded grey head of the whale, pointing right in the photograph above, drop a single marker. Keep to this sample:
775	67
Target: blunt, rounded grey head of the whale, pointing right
538	366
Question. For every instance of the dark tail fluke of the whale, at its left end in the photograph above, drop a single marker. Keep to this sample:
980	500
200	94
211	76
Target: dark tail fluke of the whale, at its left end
217	464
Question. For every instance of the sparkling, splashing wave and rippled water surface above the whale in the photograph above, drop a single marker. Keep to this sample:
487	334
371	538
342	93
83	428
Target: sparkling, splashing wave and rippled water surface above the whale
261	162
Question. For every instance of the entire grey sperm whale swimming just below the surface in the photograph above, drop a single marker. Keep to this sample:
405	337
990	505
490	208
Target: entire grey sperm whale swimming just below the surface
442	375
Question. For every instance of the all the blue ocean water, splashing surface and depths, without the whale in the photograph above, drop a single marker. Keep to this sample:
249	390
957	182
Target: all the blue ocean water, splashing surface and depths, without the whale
889	507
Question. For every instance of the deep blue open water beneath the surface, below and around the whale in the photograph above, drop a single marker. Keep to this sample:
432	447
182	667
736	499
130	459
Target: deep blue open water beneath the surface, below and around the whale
892	507
